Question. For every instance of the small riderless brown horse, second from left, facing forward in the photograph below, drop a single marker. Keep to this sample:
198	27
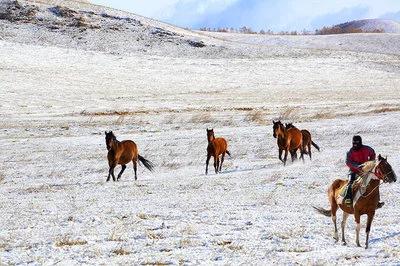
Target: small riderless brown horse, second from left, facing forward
215	148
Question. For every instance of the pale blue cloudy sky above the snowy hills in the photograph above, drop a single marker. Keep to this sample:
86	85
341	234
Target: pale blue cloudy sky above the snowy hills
276	15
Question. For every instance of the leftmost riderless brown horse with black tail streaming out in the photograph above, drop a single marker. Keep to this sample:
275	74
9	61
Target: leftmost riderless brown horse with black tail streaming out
123	152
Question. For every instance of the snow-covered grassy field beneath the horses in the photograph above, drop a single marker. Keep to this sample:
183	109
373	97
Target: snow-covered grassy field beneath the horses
56	103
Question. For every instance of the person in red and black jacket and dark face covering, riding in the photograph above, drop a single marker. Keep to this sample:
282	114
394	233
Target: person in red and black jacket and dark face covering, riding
356	156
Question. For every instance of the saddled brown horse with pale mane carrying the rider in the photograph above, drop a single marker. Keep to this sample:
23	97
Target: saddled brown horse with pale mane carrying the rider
367	203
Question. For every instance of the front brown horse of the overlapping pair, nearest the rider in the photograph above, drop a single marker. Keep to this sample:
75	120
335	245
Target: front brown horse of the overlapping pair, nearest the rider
288	140
